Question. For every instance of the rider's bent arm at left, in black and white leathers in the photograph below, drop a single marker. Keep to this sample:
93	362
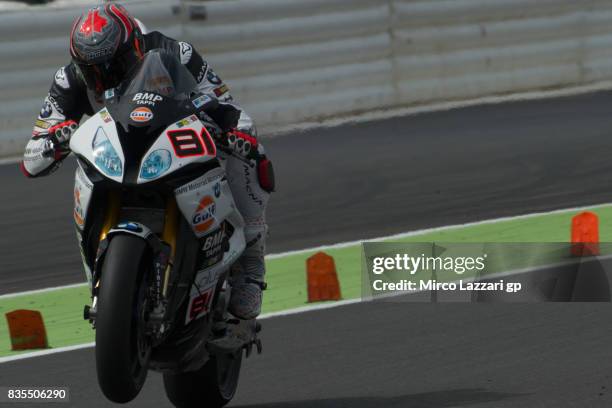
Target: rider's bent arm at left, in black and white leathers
62	108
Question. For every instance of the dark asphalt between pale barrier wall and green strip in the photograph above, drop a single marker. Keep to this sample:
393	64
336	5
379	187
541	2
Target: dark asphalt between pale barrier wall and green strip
365	180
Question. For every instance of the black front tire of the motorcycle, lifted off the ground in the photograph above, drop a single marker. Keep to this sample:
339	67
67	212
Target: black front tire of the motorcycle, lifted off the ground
122	351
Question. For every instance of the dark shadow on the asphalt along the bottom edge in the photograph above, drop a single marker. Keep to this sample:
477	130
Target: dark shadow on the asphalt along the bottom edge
437	399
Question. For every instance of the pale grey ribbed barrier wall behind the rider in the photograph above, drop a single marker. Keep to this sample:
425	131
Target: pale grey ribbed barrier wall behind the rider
288	61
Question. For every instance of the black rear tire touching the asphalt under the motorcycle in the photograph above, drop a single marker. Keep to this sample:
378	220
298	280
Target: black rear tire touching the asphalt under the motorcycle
212	386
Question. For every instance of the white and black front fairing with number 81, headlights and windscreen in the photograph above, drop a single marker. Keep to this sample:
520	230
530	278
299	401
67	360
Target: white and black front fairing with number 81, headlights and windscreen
148	128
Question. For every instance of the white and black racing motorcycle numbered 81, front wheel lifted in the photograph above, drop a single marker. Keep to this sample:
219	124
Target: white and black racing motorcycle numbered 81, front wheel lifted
159	232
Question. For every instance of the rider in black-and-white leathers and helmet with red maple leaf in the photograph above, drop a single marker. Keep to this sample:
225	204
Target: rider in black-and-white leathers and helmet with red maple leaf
105	42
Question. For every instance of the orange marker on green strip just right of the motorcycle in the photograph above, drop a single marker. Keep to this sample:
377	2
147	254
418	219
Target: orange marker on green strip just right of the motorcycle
322	278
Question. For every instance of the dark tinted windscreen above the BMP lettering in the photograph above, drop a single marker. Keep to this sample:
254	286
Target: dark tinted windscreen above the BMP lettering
160	73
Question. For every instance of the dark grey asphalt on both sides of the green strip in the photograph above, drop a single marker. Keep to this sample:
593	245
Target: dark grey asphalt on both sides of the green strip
369	180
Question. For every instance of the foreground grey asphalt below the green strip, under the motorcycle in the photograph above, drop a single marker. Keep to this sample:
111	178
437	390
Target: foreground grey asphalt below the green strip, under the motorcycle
396	355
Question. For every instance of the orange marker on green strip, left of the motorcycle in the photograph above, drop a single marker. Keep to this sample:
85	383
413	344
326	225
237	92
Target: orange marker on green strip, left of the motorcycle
27	330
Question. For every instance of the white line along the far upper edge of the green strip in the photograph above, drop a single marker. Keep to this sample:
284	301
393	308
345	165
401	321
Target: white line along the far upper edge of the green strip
358	242
